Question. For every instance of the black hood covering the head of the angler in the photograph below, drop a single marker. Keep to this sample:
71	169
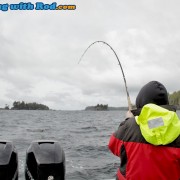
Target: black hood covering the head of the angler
152	92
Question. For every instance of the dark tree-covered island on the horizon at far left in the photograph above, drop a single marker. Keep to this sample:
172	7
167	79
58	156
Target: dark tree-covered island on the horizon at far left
17	105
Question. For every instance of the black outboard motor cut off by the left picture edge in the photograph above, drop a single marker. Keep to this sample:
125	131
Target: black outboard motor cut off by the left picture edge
8	161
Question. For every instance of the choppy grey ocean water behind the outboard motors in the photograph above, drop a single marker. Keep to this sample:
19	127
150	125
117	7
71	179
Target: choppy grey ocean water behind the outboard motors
84	136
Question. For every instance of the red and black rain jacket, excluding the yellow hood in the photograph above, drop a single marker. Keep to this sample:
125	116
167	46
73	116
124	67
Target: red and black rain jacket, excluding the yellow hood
140	160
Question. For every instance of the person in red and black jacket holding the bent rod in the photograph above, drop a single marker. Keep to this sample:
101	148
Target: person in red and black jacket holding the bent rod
148	141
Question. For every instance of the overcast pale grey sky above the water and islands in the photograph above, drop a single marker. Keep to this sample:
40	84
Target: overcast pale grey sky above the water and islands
40	50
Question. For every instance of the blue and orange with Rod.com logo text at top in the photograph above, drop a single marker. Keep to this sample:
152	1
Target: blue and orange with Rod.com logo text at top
36	6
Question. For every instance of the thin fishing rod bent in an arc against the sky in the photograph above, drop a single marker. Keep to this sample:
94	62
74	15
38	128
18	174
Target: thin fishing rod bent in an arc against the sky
125	83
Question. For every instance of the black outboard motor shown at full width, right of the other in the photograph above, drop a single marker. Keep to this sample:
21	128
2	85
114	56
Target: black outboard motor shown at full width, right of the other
45	160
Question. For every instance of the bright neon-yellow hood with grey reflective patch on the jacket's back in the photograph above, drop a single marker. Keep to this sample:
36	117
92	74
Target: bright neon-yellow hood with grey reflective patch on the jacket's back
158	125
